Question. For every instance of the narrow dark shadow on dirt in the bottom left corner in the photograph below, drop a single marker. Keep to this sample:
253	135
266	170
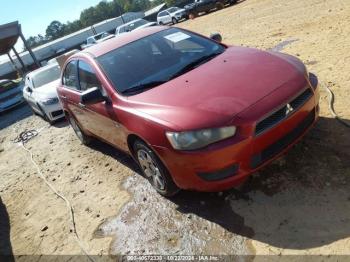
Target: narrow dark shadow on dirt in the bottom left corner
5	242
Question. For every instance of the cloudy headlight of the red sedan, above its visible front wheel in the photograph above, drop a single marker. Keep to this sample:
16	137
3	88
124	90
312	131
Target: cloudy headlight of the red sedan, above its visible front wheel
197	139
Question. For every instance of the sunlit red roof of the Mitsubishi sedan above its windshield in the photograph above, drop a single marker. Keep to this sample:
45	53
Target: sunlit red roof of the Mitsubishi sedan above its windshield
121	40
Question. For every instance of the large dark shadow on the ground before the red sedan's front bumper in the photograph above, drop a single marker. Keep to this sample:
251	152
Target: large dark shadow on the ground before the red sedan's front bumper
300	201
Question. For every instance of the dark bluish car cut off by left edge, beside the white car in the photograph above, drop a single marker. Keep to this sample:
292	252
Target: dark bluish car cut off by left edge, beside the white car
10	94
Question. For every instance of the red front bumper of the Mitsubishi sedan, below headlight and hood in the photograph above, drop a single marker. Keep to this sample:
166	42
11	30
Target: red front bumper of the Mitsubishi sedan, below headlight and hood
228	163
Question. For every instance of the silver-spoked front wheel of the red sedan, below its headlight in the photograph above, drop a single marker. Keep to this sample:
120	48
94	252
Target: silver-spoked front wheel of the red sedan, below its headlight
154	170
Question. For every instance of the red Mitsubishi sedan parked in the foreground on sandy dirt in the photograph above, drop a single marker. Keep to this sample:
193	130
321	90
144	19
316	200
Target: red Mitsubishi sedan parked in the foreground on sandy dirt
194	113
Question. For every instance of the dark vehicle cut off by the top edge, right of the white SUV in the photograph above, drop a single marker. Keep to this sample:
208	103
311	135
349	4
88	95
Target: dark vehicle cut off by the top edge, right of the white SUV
205	6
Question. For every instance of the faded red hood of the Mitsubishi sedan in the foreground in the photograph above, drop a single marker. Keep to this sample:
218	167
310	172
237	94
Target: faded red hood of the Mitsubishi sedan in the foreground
215	92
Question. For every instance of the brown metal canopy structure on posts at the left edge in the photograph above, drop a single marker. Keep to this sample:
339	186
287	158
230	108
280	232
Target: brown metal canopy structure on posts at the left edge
9	34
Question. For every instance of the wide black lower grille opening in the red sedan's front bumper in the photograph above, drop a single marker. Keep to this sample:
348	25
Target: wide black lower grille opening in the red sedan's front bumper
282	143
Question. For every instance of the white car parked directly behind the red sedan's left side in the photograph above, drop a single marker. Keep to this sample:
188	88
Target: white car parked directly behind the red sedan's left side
41	94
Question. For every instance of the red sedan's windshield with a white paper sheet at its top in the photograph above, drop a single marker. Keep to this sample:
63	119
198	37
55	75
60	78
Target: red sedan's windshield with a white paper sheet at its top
157	58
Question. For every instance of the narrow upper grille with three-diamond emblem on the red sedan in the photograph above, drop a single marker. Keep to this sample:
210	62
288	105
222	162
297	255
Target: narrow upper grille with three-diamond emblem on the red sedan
283	113
